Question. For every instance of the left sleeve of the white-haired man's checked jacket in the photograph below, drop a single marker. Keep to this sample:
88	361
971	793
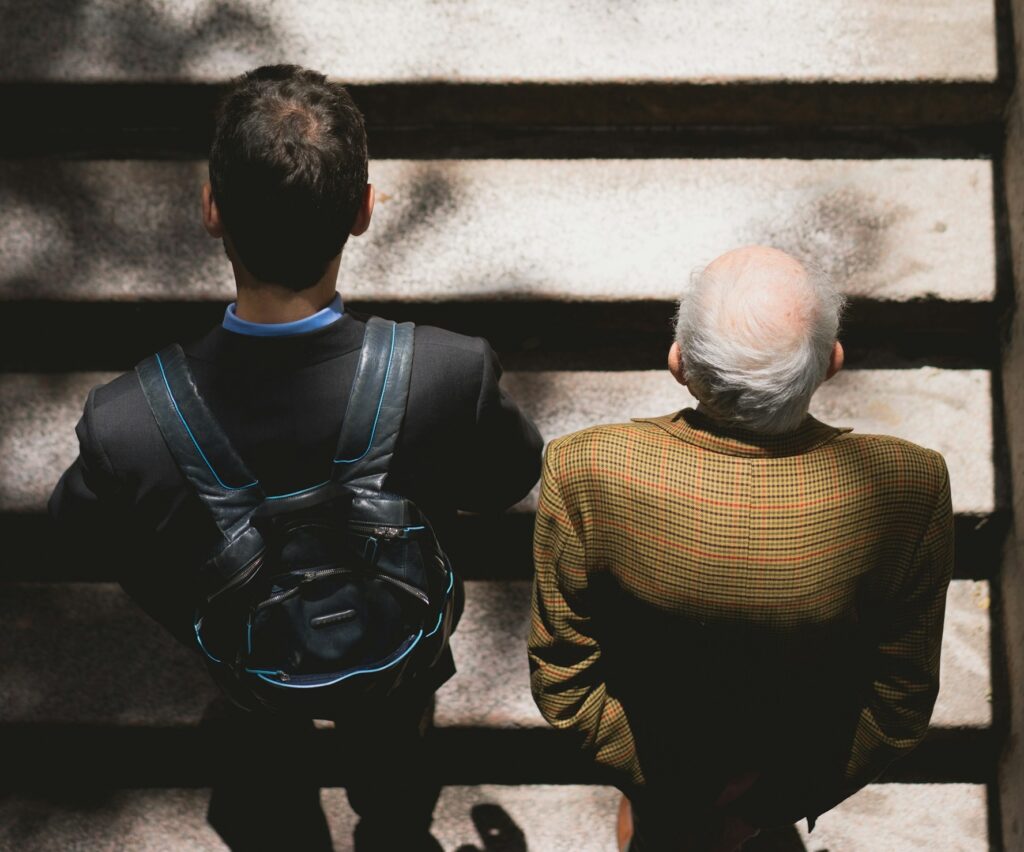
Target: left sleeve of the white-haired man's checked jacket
567	675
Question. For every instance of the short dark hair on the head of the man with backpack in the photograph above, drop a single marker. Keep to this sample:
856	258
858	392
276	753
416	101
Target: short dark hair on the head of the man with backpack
288	168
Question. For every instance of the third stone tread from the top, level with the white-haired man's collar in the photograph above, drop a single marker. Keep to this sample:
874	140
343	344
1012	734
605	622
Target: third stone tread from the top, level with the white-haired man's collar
947	410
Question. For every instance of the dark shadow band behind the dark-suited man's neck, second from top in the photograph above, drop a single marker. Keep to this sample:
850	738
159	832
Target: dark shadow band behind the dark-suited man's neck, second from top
529	335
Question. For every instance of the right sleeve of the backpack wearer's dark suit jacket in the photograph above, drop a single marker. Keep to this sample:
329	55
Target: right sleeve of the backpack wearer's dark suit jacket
501	462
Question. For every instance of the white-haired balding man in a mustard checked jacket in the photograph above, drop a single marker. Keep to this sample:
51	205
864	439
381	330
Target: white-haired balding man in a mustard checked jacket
738	609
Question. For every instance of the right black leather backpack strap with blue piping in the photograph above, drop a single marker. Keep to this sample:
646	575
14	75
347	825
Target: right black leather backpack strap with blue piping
376	405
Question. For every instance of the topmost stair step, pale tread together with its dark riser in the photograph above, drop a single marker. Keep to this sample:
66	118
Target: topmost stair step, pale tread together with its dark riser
93	77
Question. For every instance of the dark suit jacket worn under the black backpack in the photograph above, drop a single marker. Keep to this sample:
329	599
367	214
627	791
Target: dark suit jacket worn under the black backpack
464	445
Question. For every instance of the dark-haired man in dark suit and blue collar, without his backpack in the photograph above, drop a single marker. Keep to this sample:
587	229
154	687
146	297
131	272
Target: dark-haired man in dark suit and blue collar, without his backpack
288	186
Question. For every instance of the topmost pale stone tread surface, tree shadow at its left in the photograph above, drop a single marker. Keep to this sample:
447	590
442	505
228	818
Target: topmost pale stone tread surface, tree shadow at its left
417	40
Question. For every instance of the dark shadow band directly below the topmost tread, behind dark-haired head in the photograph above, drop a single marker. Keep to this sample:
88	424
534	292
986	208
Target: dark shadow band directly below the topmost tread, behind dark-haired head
174	120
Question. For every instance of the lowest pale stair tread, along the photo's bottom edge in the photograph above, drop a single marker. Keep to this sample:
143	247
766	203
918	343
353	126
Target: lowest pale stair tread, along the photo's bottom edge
544	819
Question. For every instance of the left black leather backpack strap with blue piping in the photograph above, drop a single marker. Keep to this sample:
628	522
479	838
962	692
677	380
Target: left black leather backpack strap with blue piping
215	470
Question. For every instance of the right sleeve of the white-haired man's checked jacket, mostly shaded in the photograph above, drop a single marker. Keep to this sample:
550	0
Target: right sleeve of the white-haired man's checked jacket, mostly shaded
905	671
